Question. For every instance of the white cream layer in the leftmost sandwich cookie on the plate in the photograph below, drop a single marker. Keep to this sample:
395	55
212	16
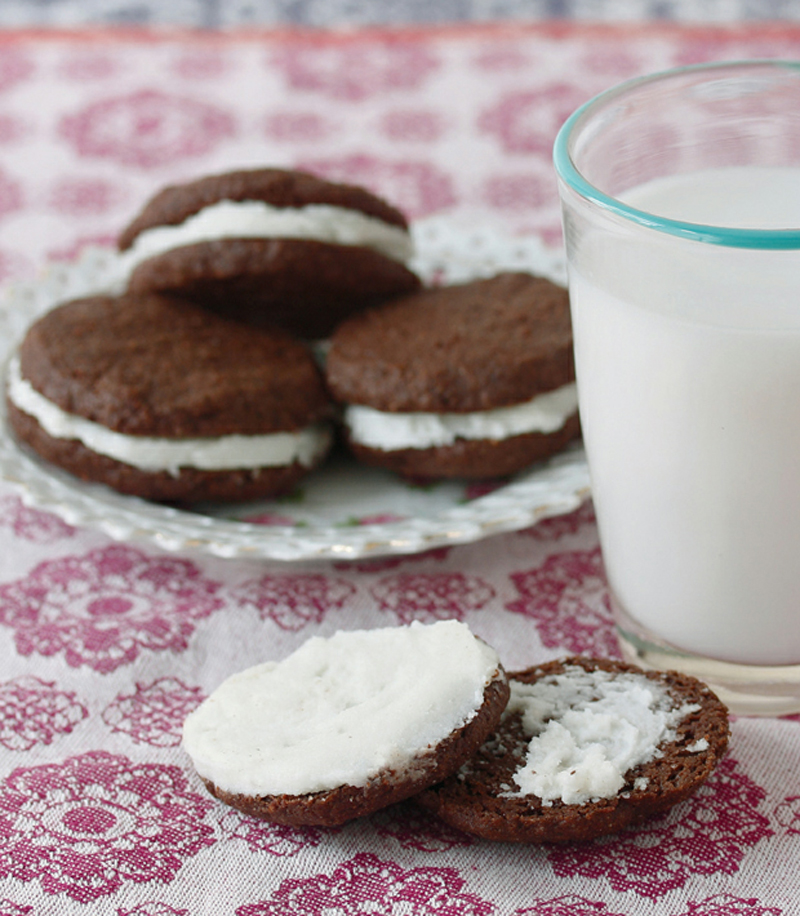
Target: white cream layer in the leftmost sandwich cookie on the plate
153	454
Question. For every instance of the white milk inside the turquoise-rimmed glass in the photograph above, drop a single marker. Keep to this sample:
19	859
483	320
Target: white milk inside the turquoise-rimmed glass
688	362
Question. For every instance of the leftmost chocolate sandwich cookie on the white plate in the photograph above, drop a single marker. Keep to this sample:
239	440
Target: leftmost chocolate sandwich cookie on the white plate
161	399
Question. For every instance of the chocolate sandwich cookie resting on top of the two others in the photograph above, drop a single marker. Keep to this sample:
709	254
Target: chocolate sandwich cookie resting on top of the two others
271	247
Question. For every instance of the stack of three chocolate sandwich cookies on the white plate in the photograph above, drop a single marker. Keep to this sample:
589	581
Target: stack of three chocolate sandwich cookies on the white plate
470	381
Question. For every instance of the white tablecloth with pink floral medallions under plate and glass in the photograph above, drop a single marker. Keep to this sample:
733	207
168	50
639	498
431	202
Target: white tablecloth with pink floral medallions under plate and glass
105	646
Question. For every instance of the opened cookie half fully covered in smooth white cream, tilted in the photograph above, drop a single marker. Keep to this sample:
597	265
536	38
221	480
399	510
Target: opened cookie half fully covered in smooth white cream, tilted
348	725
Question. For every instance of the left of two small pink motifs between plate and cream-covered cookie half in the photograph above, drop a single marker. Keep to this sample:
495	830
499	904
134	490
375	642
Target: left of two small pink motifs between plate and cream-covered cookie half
294	601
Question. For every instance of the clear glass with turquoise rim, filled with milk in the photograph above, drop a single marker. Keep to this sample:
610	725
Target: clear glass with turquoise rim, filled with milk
681	204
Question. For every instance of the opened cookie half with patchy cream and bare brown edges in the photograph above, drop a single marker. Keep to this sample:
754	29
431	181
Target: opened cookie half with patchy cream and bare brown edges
586	747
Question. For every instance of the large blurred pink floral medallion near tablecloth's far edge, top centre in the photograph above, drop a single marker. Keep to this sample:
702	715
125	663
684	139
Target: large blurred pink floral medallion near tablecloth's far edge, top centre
353	71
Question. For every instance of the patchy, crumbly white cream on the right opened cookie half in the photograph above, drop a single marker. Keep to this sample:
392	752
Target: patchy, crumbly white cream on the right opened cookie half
588	730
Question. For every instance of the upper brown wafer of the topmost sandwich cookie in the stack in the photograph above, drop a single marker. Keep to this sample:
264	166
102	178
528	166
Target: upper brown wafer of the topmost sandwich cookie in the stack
277	187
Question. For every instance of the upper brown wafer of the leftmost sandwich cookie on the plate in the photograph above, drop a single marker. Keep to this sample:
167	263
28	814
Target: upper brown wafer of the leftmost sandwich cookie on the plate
155	366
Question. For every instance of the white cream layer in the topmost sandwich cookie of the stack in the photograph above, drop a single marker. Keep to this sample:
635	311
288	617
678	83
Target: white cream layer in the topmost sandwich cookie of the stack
253	219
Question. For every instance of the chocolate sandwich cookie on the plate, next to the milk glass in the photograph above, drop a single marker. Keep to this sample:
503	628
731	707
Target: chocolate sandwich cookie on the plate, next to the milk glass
474	380
